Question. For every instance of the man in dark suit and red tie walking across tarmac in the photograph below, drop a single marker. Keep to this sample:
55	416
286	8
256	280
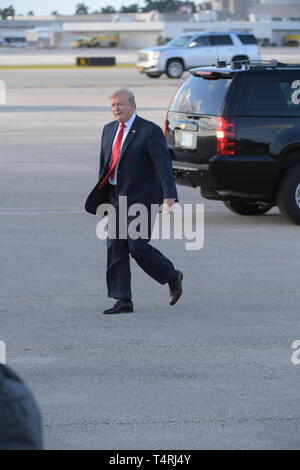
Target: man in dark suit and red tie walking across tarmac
134	162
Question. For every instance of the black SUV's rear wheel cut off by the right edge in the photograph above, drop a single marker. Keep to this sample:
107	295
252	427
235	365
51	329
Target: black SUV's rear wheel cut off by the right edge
288	194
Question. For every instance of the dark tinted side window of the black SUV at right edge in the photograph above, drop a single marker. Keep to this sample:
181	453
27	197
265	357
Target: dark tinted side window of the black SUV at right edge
273	98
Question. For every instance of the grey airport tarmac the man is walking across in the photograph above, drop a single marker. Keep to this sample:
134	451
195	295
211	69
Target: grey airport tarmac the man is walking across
212	372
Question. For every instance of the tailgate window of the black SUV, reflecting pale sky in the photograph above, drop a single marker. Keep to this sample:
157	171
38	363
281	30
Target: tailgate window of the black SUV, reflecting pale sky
200	96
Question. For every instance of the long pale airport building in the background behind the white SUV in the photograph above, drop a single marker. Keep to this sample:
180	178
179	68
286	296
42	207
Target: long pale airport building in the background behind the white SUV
271	21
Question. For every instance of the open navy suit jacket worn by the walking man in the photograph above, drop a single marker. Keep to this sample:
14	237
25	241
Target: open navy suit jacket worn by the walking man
145	169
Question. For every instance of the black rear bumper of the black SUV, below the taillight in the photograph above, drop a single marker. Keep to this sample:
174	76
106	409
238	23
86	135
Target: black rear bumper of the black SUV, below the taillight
238	174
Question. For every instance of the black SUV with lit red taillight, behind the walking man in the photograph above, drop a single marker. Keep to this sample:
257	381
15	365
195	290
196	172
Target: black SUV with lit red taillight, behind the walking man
235	132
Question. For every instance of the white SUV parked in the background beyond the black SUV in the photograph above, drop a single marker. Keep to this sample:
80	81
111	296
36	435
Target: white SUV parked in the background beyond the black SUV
196	49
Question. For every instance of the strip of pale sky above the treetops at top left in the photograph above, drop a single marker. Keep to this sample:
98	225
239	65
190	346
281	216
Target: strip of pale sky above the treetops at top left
66	7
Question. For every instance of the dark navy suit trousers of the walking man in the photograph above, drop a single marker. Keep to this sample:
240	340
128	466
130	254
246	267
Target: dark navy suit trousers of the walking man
151	260
